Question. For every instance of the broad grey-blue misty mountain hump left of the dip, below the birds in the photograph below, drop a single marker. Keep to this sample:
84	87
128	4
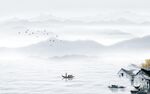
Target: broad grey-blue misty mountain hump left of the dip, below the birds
60	48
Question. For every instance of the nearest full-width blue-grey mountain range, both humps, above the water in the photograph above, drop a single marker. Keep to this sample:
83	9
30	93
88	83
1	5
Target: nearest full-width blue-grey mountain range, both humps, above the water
55	47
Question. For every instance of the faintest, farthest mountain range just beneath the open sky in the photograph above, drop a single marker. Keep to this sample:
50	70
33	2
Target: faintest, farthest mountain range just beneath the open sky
45	20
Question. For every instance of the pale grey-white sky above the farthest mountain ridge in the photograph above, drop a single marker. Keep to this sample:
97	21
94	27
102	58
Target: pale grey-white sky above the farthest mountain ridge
68	7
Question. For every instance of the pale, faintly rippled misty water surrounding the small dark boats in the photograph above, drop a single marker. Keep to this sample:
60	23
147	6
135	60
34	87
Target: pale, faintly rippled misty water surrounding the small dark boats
93	75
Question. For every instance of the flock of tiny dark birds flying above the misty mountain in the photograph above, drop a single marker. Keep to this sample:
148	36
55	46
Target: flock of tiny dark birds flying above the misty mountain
40	33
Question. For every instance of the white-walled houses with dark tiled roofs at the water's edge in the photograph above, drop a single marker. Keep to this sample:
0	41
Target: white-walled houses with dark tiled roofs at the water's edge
139	79
